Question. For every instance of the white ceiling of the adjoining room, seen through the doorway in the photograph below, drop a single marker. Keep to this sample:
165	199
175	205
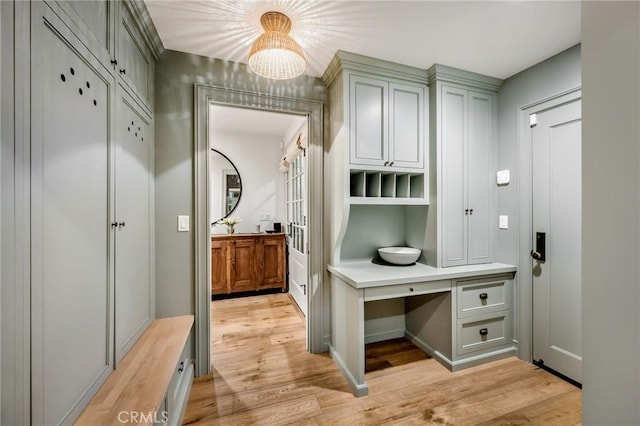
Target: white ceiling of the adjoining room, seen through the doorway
252	122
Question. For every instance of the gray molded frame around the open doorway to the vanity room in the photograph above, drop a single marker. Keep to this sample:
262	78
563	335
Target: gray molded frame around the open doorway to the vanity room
204	96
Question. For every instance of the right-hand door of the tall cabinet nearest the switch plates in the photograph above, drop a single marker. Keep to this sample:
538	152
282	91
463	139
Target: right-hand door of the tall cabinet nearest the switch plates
480	178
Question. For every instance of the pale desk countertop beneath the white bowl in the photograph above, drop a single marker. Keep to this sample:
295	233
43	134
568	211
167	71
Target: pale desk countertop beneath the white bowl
363	274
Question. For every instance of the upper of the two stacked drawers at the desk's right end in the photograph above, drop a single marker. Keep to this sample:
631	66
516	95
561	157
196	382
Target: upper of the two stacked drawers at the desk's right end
483	296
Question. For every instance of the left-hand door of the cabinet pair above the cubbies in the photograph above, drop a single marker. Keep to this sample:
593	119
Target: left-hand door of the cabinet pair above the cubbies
368	118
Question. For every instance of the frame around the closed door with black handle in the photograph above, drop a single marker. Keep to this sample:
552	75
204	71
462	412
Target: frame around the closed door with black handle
523	291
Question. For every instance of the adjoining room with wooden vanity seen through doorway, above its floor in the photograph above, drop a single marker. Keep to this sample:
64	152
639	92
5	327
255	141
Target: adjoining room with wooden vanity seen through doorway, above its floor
257	203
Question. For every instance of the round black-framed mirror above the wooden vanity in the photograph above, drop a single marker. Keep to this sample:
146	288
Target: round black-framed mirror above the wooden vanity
226	186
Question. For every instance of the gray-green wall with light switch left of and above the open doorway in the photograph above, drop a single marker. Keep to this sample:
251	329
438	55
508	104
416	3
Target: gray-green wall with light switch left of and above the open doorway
176	74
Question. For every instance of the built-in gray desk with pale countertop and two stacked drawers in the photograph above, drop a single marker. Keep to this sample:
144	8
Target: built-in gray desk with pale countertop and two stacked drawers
459	315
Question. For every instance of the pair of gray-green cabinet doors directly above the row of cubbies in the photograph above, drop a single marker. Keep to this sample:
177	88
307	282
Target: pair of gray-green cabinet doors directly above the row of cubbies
386	123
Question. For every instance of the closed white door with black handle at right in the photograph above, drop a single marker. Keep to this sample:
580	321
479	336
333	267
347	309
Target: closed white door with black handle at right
556	252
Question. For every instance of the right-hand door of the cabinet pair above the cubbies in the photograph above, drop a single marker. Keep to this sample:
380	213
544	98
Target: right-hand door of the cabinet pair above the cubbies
406	126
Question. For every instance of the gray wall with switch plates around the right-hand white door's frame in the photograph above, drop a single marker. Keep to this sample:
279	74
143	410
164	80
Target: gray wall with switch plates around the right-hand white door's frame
548	78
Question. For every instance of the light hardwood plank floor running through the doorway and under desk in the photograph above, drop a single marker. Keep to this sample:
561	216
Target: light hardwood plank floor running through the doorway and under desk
263	375
